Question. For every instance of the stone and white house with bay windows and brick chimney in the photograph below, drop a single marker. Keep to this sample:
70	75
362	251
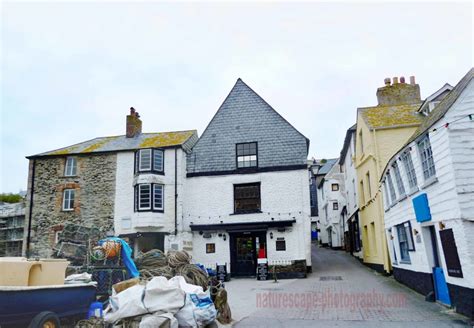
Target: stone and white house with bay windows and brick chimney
79	184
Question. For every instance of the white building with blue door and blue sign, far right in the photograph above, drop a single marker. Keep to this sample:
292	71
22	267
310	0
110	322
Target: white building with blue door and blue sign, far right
428	189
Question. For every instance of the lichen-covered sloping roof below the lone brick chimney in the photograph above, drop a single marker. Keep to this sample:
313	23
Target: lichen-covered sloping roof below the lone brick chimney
121	143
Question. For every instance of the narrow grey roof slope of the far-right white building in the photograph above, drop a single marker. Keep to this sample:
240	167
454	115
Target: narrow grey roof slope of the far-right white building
443	107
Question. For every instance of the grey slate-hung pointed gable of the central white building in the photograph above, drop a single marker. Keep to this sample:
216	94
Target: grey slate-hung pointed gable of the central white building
244	117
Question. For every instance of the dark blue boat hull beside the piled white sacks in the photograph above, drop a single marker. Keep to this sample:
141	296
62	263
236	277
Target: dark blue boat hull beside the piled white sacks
19	306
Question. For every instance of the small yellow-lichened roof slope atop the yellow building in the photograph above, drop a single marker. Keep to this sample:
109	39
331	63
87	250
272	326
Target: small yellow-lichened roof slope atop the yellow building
377	117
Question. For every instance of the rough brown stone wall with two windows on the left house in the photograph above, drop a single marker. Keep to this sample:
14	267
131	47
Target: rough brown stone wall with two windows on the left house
94	198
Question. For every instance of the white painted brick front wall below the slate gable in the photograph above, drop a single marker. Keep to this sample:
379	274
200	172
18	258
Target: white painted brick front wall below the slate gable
284	196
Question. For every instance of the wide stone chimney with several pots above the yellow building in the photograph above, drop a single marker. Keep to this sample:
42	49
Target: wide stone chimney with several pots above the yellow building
399	93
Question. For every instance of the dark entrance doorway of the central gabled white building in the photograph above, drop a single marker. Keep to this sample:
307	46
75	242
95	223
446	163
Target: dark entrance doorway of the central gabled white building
244	248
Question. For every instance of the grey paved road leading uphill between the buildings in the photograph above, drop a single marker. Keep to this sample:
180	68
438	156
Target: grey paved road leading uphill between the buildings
340	292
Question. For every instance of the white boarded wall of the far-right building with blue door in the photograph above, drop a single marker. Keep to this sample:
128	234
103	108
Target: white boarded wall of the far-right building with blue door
451	197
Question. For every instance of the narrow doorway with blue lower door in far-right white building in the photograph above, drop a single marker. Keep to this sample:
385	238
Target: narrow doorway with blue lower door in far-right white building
439	280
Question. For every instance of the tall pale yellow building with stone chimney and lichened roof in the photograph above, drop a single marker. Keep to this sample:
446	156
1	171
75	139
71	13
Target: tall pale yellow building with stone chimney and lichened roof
381	131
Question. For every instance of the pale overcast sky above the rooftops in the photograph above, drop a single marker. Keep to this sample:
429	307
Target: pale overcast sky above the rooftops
71	71
